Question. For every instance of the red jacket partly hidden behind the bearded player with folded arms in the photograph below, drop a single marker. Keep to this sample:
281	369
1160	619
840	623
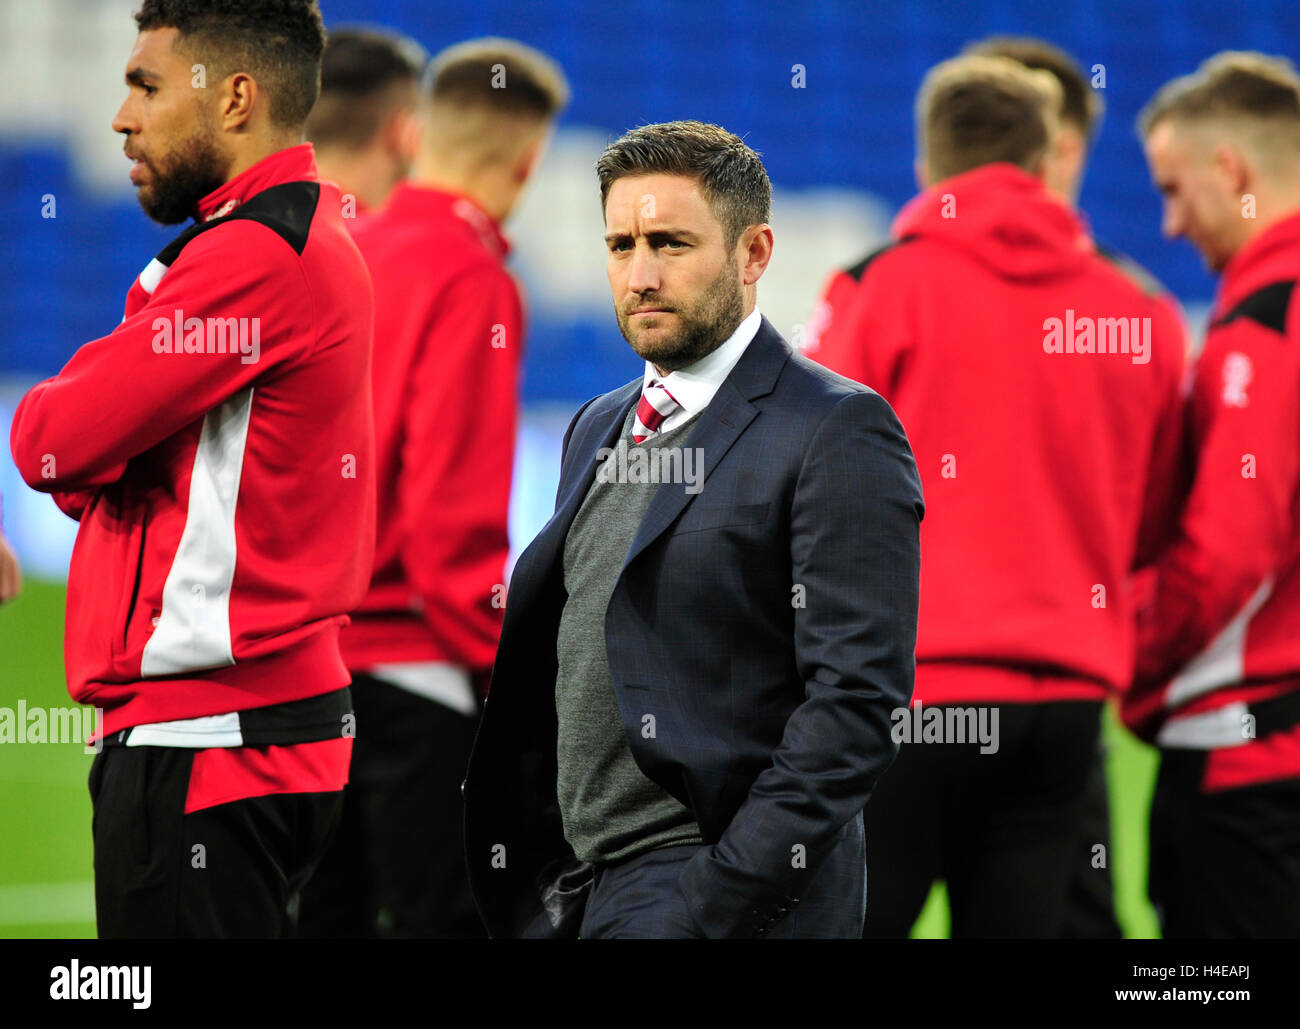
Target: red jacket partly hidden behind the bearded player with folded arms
448	348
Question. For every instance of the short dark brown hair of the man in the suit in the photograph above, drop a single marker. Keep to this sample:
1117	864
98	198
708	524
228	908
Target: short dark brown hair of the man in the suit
730	173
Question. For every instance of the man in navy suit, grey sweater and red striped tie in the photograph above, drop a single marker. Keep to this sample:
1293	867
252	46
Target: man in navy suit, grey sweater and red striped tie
705	646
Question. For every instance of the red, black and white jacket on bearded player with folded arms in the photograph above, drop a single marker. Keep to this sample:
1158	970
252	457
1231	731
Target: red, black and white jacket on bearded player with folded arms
226	493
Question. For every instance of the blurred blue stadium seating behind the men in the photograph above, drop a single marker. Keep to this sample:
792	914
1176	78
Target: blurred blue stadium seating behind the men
642	62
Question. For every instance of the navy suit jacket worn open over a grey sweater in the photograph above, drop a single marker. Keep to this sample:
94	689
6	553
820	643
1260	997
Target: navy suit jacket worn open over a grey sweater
768	623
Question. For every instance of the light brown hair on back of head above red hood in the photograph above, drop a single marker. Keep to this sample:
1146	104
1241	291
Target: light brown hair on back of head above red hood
974	111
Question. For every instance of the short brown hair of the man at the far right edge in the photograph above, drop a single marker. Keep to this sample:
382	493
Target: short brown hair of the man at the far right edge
1233	86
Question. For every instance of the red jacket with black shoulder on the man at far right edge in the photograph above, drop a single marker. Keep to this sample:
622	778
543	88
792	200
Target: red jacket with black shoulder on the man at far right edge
1223	629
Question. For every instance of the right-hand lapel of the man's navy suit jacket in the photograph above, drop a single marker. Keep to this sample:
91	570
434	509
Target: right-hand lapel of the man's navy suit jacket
721	426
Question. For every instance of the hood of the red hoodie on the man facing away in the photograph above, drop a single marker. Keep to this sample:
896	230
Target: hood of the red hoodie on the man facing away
1002	216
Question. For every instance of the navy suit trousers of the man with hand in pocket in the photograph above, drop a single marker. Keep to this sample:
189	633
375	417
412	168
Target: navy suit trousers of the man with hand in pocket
639	898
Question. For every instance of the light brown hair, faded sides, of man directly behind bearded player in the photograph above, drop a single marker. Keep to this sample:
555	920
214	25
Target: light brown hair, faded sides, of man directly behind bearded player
502	75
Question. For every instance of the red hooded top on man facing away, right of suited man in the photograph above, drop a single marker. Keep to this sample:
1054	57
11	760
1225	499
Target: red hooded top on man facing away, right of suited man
1048	474
